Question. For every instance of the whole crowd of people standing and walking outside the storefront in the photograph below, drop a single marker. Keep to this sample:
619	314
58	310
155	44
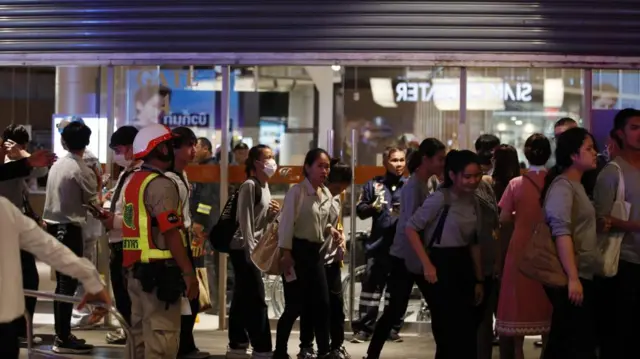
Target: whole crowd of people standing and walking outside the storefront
457	227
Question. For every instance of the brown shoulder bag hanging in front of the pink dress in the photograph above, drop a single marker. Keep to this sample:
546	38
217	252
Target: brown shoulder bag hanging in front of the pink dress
540	260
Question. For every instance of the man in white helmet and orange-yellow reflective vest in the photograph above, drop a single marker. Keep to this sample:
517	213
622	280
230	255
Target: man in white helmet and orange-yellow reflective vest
155	260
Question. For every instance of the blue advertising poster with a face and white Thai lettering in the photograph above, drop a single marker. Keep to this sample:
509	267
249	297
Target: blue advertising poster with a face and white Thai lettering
176	97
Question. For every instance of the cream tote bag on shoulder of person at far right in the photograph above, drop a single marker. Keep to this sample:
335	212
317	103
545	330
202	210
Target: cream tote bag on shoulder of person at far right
609	243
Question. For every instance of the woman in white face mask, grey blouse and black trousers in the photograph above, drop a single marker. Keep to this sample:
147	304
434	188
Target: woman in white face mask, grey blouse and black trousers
248	316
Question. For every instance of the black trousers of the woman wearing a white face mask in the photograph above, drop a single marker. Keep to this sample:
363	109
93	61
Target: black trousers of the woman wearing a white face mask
248	315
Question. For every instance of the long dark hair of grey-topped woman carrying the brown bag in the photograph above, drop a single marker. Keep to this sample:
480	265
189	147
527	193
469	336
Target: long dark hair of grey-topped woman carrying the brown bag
567	145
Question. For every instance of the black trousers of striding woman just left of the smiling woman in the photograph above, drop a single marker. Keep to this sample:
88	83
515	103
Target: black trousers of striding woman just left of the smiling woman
399	286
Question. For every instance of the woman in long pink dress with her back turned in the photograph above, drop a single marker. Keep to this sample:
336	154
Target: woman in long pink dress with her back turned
523	307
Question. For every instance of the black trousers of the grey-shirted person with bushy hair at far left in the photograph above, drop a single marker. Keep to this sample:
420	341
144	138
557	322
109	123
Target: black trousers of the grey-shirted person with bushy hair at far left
71	236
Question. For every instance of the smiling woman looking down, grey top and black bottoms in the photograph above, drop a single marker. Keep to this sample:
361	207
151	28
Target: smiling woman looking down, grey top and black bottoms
443	234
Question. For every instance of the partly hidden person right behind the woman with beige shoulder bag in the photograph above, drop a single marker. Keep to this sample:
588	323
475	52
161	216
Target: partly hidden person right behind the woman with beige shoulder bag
339	179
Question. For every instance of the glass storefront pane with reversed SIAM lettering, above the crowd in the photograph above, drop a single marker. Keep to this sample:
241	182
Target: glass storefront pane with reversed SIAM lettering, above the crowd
513	103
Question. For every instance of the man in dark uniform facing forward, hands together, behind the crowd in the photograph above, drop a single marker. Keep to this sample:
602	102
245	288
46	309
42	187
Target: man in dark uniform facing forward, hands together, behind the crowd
380	200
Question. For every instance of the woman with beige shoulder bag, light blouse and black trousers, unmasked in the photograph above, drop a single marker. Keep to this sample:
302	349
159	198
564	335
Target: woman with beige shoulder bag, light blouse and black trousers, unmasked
304	232
